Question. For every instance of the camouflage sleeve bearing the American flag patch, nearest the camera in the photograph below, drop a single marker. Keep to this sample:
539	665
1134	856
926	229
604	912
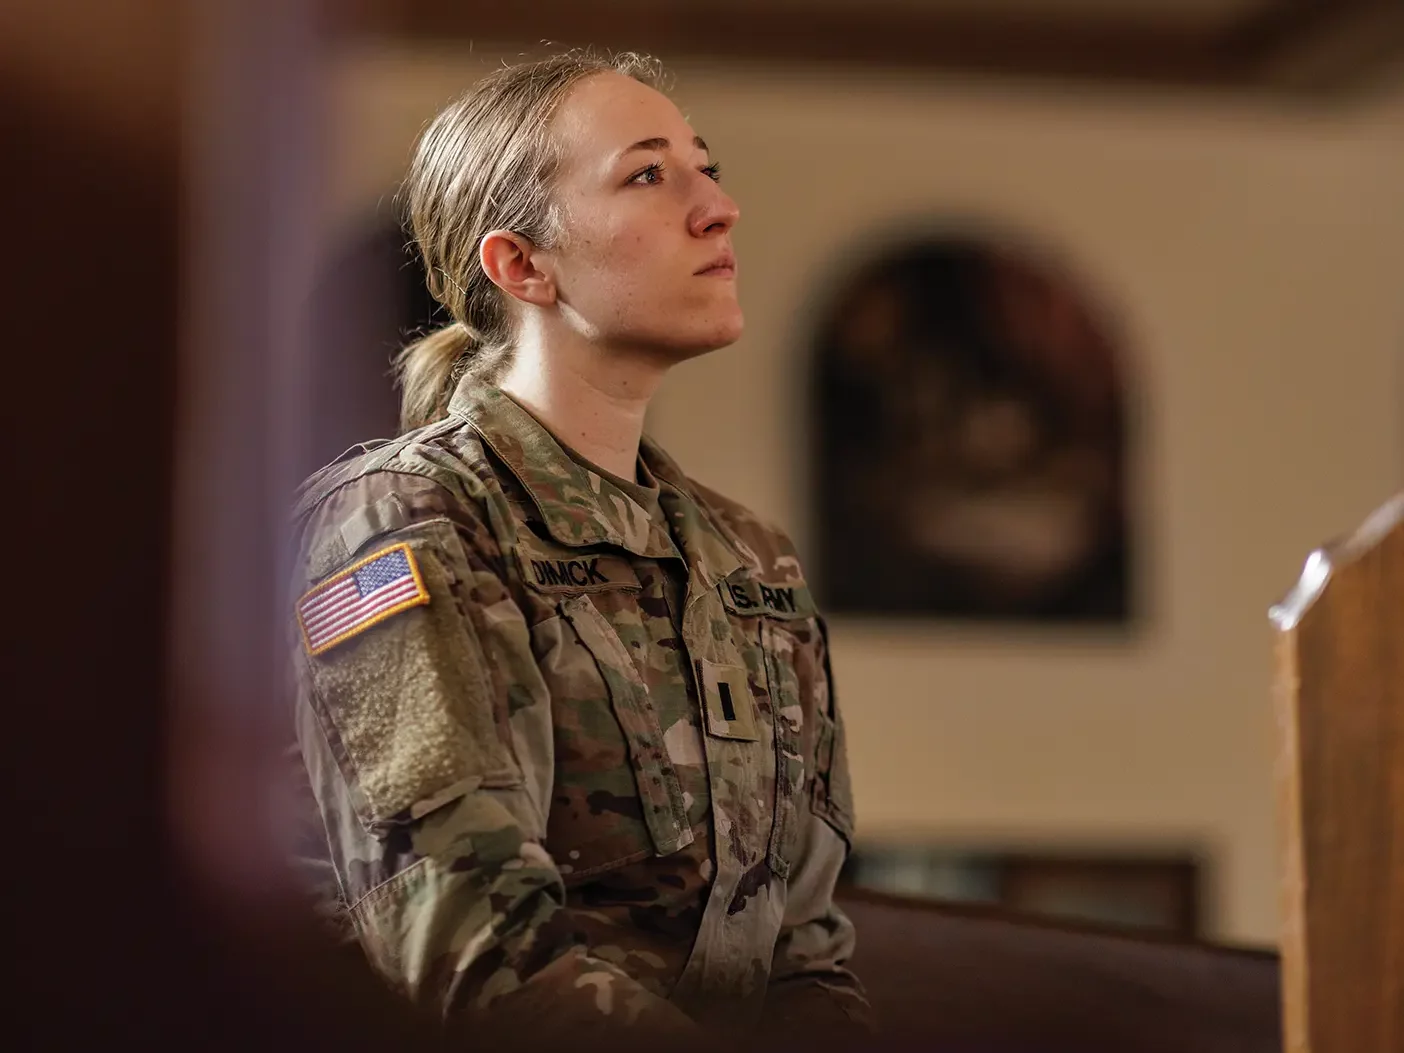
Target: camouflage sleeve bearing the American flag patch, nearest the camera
433	822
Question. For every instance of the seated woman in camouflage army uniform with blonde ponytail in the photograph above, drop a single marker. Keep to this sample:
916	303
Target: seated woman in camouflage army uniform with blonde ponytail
567	713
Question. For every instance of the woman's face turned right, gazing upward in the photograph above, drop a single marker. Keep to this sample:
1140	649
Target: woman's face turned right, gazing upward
645	260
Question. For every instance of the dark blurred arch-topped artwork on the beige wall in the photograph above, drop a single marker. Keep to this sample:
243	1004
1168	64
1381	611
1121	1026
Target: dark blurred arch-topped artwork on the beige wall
971	425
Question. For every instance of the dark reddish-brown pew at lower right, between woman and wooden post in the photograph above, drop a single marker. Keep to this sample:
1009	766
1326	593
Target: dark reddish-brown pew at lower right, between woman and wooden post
968	978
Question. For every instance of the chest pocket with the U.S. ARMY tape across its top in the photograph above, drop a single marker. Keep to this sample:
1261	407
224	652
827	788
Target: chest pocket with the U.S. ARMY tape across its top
777	621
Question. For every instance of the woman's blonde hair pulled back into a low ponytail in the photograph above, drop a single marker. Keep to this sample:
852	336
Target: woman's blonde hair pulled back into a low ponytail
486	164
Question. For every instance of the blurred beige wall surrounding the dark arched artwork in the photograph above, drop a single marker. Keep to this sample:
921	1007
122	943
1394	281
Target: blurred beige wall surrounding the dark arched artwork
1257	258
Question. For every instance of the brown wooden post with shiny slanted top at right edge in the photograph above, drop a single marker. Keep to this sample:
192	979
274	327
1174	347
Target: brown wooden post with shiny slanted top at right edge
1340	698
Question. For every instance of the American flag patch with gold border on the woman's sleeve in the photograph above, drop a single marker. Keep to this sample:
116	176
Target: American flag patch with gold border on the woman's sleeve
362	596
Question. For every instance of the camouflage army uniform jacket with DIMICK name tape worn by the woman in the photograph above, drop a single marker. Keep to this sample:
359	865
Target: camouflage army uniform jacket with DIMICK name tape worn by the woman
595	773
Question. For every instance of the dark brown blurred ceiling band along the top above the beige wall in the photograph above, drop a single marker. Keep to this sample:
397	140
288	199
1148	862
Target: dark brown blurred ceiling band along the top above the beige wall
1284	47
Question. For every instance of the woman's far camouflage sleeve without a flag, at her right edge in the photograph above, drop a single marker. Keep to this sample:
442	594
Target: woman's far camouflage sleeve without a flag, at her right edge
812	992
